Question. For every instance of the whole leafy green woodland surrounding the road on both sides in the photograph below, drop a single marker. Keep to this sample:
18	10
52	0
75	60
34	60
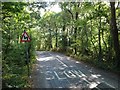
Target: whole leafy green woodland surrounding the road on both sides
87	31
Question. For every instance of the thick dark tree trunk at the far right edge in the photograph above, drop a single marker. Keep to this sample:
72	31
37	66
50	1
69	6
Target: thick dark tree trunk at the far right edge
114	32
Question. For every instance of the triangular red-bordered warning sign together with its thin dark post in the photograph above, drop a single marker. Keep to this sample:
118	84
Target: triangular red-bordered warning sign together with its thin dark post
25	38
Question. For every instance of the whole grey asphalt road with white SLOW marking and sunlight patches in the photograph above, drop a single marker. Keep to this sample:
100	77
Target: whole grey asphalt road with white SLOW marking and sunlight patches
55	70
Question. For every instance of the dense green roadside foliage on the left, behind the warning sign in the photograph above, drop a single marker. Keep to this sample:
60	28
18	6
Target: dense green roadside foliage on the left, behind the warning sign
15	21
